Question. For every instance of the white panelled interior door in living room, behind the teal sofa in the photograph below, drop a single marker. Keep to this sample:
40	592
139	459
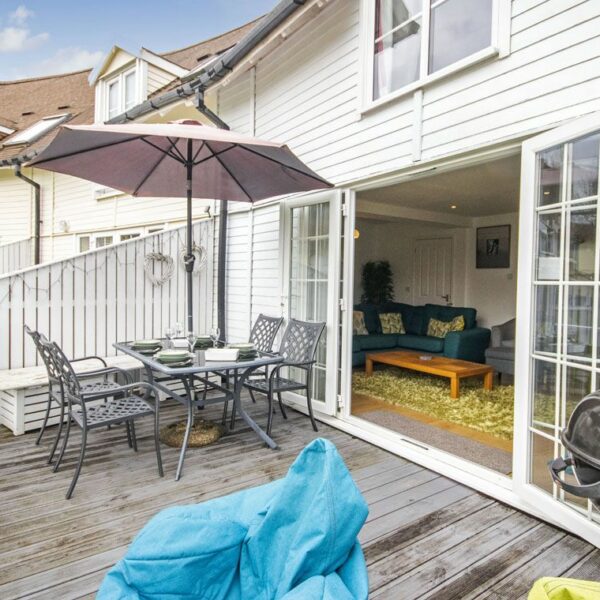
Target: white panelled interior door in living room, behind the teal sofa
433	272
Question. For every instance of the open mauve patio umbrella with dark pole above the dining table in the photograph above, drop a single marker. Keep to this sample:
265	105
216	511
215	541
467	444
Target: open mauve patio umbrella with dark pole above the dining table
175	160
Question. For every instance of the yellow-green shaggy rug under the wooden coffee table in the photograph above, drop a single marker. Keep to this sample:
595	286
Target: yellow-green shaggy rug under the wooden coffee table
490	412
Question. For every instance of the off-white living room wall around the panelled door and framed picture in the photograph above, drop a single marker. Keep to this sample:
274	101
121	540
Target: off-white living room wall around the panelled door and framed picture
491	291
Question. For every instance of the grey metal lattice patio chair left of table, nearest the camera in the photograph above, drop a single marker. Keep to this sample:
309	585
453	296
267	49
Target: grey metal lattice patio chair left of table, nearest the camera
124	403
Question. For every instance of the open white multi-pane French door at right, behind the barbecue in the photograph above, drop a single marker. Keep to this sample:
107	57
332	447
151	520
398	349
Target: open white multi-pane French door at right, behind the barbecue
557	360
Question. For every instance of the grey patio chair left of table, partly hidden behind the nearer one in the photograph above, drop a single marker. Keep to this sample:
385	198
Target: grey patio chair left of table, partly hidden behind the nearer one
55	391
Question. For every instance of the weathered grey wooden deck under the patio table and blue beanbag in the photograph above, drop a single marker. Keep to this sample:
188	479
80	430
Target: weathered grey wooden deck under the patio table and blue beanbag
426	536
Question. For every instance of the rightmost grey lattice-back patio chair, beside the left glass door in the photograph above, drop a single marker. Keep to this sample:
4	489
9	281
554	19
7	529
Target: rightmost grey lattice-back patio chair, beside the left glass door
298	348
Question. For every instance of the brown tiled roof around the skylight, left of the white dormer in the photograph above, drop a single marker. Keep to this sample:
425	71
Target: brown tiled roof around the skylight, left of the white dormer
26	101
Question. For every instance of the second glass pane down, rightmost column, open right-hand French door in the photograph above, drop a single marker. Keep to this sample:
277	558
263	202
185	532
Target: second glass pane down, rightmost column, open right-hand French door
582	245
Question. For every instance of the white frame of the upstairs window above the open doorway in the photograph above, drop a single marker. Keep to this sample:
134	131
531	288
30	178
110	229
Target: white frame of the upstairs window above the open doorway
499	47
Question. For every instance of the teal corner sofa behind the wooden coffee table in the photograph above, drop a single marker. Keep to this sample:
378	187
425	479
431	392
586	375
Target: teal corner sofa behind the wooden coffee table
469	344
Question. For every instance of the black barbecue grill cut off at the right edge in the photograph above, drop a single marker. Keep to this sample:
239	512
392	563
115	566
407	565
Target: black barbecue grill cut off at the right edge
581	438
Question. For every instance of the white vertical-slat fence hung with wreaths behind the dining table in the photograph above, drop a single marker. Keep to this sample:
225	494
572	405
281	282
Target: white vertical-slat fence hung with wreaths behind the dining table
88	302
